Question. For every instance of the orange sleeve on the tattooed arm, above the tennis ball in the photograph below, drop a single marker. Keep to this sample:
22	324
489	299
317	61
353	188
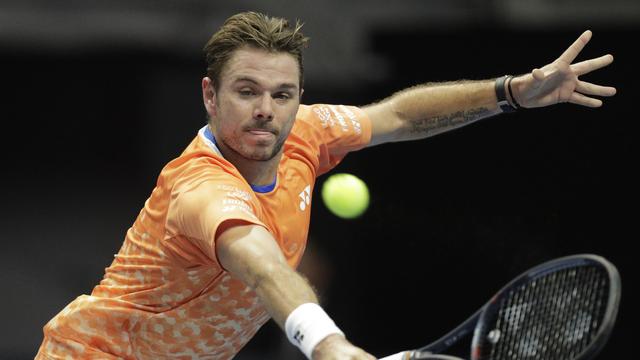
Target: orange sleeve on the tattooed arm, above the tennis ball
332	131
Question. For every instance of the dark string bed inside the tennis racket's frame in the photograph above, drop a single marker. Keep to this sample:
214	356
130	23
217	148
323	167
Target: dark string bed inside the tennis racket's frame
555	316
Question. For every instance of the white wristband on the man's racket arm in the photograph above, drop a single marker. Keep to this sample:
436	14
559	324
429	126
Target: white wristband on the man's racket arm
307	325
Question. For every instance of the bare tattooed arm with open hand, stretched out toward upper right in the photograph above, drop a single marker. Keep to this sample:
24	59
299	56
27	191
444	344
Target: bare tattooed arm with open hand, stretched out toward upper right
430	109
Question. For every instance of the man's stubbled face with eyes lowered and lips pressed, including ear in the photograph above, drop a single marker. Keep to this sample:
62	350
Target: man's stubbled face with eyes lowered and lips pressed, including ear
255	106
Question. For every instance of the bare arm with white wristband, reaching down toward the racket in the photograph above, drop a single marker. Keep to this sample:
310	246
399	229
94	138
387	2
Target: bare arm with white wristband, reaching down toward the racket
250	253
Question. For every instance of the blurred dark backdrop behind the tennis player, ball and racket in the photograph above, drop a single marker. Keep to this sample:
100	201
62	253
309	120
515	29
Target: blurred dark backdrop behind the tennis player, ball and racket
98	95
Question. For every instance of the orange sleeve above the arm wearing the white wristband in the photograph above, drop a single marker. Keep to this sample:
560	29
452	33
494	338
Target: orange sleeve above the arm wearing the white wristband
197	211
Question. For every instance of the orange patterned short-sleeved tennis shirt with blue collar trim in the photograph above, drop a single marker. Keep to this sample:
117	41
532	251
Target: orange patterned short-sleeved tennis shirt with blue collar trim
165	295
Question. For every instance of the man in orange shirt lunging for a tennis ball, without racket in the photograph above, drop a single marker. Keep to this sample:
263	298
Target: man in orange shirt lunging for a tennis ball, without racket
212	255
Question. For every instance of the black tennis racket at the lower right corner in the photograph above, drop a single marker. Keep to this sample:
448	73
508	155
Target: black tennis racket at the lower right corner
562	309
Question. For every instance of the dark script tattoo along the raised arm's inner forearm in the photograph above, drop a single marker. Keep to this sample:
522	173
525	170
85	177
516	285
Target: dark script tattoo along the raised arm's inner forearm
438	124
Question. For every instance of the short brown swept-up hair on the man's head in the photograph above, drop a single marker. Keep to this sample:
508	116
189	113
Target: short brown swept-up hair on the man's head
253	29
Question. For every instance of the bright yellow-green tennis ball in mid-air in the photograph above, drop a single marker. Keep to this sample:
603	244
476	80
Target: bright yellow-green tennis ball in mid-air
345	195
